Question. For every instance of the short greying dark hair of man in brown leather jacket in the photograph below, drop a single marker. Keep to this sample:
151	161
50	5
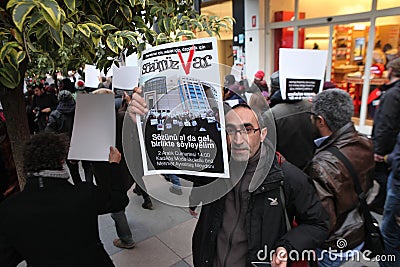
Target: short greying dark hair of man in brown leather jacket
335	106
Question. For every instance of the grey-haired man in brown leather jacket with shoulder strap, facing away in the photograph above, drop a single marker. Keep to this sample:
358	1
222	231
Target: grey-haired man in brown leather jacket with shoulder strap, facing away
331	113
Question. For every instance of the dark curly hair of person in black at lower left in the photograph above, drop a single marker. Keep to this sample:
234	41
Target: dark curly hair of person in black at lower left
45	151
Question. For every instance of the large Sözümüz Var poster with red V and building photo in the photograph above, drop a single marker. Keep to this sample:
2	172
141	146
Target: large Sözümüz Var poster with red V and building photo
181	133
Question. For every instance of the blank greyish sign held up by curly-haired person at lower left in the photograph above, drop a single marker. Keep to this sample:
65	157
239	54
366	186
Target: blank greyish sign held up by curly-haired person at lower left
94	127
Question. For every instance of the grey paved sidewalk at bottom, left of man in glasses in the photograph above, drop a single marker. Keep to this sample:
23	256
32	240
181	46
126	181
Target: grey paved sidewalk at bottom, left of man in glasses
163	235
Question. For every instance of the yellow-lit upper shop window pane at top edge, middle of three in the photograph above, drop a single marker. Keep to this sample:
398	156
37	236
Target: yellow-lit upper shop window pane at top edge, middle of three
317	9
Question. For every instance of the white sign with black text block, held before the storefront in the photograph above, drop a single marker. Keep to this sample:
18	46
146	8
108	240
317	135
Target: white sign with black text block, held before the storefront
301	72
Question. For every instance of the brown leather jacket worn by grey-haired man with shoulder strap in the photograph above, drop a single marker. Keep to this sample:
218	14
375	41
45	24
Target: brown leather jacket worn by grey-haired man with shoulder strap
335	186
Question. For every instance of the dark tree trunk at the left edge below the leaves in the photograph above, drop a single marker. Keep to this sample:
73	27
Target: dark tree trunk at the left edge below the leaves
14	110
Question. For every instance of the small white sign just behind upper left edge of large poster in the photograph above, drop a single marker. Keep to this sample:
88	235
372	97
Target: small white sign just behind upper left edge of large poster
125	79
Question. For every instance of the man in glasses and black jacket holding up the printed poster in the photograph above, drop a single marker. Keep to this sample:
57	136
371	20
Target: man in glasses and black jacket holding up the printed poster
244	222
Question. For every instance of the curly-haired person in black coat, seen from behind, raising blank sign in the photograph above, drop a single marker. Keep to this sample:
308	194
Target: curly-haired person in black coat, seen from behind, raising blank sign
51	222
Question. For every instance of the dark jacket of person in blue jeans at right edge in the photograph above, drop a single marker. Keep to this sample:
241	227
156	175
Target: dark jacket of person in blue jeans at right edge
387	120
